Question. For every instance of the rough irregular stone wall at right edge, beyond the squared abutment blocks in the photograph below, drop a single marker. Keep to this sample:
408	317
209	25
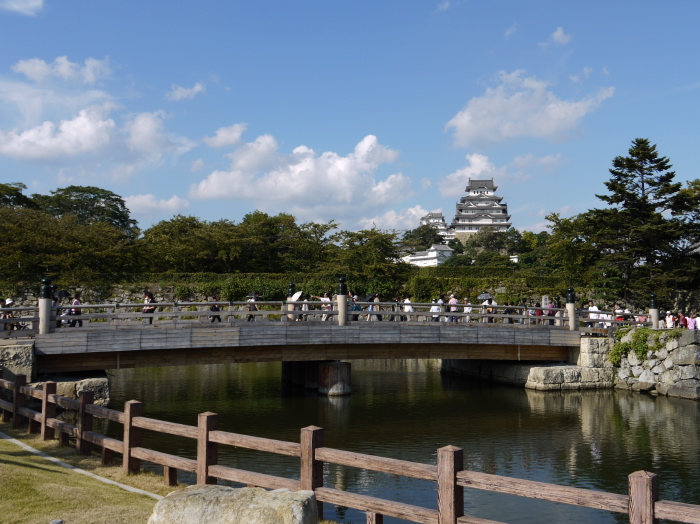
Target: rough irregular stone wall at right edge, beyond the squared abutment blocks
672	370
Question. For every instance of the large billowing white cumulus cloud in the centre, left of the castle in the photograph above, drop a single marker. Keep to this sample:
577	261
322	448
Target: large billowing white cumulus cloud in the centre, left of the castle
315	186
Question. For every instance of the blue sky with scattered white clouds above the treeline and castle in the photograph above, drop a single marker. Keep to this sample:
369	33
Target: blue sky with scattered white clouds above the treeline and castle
365	112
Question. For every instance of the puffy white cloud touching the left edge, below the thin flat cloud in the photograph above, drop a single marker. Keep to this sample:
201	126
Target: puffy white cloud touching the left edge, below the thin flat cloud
89	131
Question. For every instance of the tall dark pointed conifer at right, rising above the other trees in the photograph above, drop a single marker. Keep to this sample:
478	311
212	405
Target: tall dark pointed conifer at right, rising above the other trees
635	242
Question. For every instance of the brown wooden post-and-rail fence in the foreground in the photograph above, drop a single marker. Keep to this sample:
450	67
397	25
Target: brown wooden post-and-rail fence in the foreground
641	503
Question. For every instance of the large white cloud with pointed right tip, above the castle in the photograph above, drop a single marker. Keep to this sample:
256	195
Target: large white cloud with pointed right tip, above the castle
518	107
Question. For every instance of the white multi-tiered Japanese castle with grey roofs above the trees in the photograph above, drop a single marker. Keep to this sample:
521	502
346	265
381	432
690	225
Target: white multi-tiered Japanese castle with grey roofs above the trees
478	209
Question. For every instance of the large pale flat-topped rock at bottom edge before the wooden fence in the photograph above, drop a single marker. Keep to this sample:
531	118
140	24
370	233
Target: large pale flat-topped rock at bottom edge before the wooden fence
224	505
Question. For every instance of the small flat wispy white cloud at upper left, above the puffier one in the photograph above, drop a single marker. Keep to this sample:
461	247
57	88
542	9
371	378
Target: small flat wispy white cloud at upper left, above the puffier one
40	71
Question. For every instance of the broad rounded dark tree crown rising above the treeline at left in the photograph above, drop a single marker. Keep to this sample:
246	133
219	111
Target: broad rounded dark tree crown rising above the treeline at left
88	204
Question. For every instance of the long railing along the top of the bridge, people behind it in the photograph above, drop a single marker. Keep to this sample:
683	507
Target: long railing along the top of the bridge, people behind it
21	322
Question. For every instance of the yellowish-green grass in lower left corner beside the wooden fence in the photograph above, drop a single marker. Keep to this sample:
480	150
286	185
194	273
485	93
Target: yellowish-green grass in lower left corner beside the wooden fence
34	490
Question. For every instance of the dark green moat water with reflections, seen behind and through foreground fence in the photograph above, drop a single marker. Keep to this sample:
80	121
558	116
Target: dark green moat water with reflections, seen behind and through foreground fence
407	410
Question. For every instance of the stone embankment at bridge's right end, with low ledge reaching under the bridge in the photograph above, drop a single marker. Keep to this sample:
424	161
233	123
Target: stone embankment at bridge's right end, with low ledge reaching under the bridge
672	370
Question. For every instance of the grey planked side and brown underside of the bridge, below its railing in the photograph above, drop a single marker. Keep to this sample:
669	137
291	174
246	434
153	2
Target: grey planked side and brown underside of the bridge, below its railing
113	347
